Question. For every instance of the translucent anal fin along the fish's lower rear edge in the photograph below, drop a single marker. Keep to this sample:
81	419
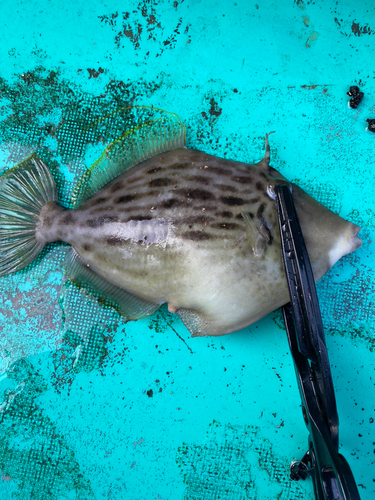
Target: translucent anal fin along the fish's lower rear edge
89	282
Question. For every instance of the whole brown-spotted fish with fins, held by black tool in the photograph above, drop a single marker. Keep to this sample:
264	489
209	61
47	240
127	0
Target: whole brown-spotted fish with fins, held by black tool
154	222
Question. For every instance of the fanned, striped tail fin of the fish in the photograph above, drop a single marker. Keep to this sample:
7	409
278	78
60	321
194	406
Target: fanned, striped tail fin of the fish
24	190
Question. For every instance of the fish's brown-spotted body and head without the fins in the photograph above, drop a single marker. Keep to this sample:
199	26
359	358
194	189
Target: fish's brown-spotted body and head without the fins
173	229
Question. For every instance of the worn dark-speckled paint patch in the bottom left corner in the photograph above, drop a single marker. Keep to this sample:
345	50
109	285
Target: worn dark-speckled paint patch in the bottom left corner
32	452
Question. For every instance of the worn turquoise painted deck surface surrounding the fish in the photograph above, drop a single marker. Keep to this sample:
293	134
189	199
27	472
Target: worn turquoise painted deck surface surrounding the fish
93	408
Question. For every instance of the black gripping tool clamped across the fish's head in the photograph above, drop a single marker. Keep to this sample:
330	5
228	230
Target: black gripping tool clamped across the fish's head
331	473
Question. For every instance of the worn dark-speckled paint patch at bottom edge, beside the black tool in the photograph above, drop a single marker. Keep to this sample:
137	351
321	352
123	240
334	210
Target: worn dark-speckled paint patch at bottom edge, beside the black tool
229	463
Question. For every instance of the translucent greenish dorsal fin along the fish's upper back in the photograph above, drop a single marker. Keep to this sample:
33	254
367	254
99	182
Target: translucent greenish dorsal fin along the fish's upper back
153	137
